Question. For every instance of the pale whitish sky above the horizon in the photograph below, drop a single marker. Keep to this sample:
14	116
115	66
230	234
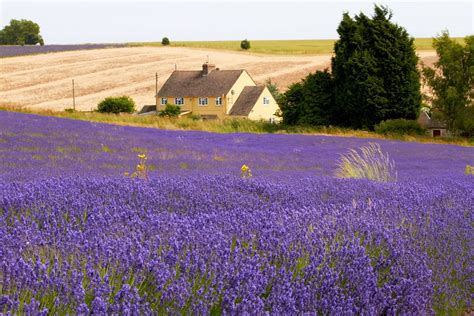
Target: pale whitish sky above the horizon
107	21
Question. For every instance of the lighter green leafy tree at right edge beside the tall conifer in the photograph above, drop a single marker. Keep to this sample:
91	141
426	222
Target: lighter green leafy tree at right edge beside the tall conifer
451	82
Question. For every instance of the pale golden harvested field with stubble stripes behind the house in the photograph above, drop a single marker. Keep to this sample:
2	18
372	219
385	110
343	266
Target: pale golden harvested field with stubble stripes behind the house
44	81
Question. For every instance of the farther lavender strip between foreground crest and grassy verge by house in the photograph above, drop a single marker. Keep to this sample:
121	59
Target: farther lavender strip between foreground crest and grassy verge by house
33	147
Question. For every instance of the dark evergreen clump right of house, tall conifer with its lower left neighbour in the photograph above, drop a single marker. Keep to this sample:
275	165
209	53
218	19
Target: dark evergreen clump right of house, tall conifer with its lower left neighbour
374	77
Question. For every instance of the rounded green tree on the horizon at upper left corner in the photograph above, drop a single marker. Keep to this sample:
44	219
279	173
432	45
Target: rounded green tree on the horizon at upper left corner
21	32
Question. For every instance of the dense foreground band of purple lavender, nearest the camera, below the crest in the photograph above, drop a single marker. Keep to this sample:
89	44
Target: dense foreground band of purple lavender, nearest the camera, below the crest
223	244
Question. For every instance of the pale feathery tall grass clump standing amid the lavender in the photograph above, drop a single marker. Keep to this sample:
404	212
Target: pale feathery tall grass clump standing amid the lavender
371	163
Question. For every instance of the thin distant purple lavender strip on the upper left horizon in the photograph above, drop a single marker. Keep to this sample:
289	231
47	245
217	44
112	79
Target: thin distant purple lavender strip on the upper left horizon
16	50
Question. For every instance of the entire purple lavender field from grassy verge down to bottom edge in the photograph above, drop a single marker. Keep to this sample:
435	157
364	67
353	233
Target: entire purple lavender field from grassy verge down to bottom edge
194	236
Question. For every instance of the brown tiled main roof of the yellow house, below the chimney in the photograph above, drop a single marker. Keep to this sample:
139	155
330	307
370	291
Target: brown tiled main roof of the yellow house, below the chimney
195	84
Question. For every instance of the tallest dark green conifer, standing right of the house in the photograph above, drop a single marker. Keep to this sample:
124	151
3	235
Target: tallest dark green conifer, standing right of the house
375	71
